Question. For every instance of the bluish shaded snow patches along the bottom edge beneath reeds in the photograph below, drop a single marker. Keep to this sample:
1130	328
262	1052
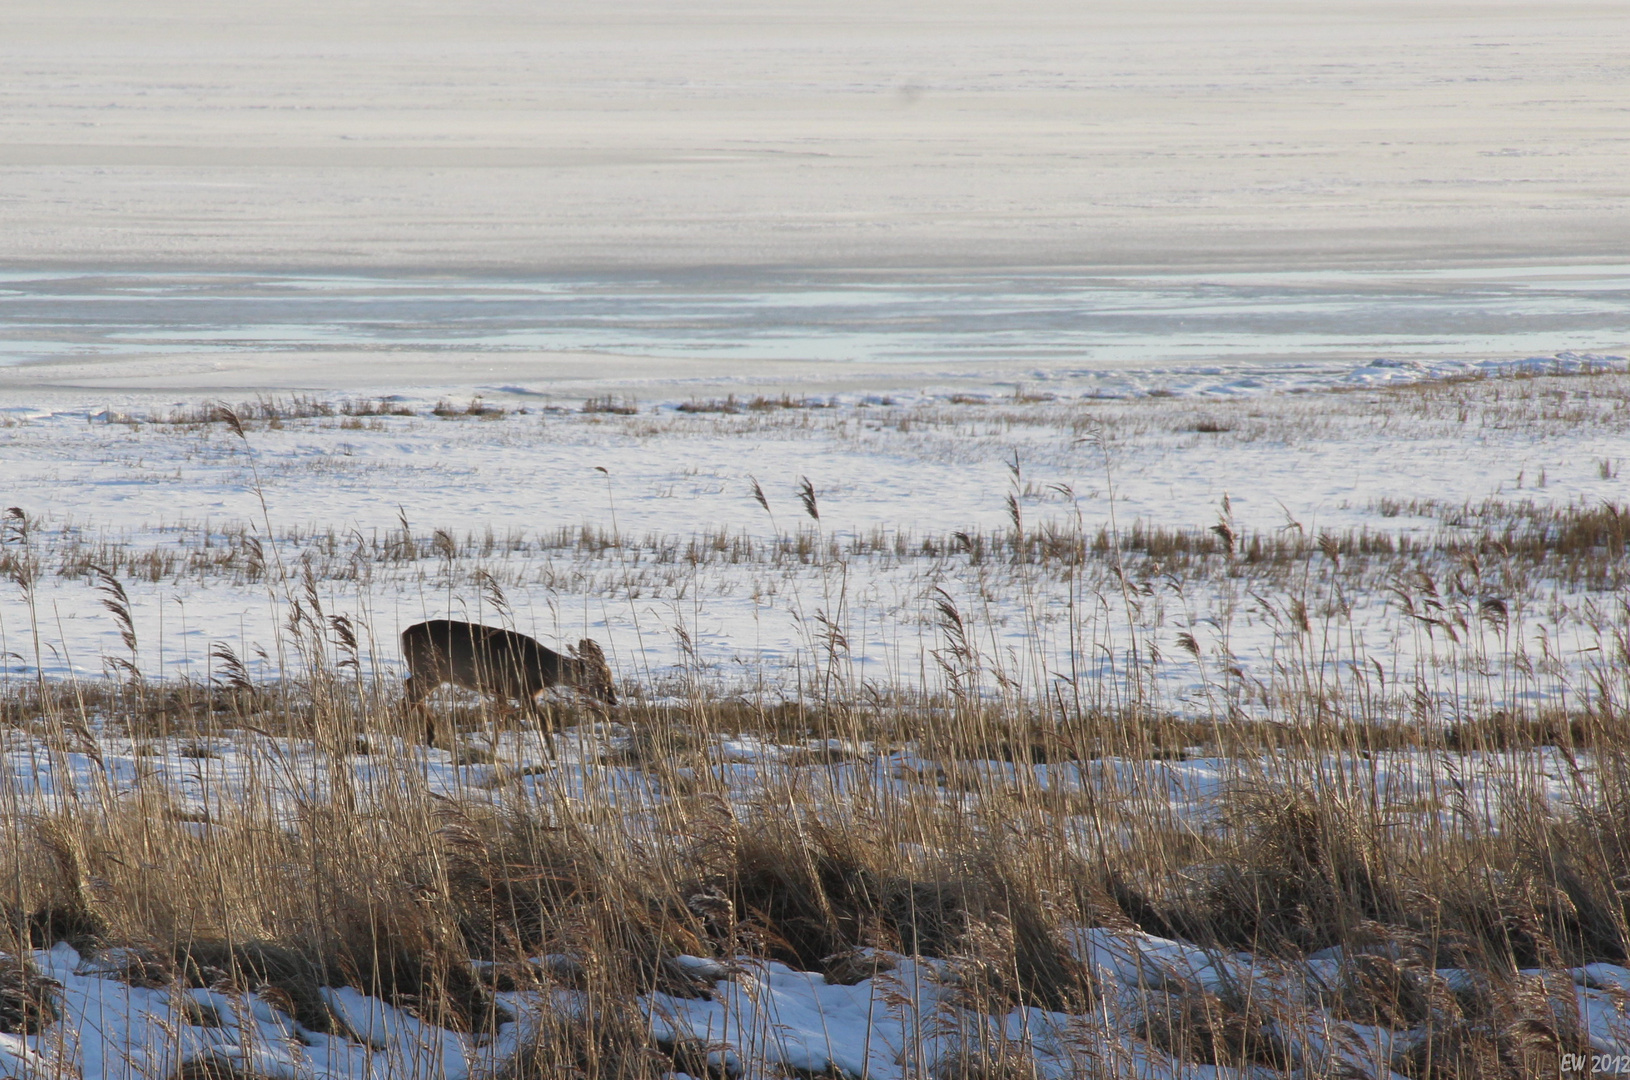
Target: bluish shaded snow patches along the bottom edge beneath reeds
760	1016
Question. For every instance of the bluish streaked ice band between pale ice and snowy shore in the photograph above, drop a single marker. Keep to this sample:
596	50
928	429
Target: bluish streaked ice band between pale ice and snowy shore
1077	333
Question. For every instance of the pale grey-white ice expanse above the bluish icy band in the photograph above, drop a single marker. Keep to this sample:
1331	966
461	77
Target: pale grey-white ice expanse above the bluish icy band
638	136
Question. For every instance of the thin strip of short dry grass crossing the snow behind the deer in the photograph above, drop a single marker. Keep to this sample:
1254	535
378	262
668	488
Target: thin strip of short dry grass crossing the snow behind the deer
1513	550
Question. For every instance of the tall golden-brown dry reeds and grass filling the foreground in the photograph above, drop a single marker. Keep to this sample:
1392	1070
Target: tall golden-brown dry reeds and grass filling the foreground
395	889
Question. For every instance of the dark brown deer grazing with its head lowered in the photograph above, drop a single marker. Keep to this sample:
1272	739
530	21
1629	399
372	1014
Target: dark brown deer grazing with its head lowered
504	664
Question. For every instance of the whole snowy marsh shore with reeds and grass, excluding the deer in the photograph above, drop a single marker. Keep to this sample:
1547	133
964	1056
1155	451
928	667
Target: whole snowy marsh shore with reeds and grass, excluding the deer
1051	789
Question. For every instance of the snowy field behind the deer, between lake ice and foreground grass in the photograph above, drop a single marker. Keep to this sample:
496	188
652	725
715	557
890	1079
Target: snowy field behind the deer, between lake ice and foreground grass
707	582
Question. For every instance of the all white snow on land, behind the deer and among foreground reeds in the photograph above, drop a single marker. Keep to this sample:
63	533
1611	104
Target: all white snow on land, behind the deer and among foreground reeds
713	590
